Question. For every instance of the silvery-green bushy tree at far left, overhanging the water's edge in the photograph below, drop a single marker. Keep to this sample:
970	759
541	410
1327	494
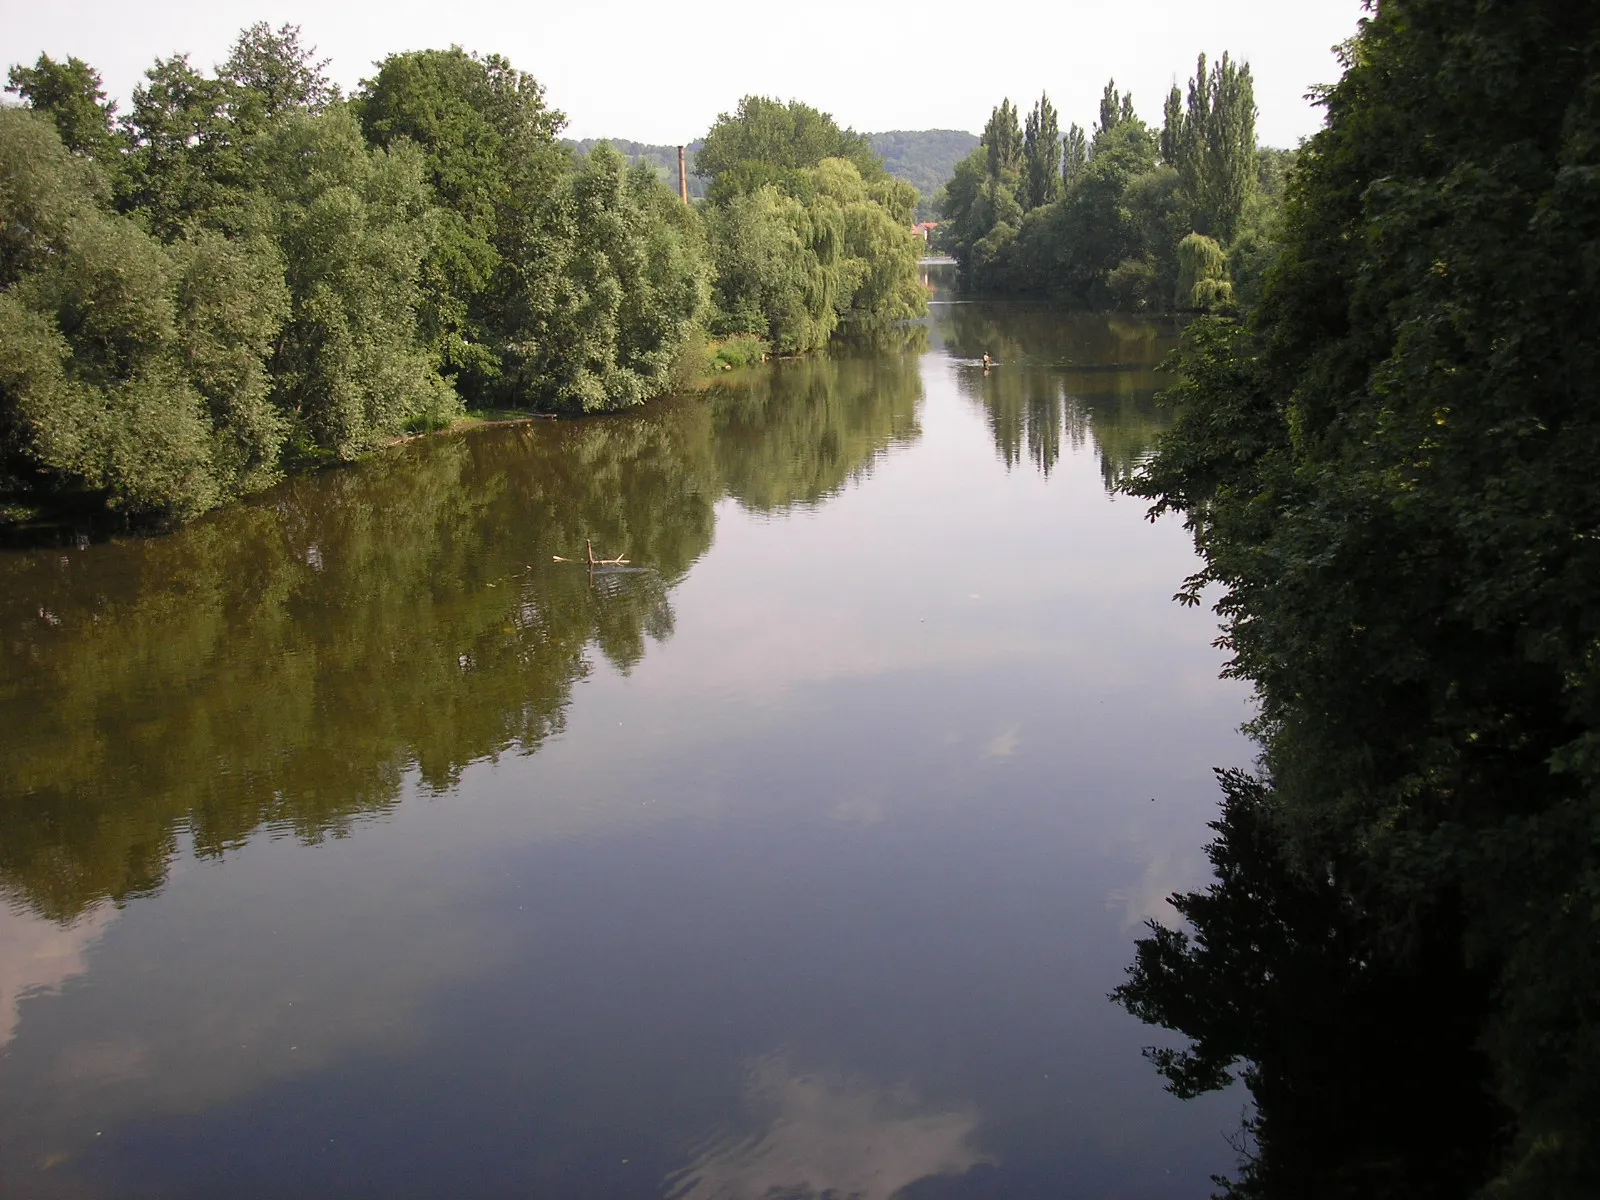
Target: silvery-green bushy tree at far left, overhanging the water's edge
132	370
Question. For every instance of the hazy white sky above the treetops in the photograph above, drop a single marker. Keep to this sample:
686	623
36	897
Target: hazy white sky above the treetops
662	73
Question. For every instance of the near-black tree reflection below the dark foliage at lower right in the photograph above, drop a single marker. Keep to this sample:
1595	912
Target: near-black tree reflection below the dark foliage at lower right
1358	1050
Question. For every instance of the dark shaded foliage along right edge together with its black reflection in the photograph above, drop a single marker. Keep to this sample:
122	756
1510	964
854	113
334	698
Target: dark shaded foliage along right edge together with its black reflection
1390	470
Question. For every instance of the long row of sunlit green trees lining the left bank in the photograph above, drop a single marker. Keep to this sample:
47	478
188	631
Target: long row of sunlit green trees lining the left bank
249	271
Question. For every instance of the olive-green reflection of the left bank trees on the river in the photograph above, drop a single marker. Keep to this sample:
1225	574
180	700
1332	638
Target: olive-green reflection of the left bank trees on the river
290	662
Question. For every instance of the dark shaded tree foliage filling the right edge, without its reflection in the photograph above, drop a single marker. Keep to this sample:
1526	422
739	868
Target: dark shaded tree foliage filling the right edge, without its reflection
1390	473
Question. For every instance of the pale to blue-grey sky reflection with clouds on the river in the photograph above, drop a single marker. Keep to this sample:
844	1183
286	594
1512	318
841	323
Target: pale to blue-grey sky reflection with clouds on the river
894	798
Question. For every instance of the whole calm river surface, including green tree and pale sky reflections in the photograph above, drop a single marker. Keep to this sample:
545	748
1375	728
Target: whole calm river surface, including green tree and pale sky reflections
351	847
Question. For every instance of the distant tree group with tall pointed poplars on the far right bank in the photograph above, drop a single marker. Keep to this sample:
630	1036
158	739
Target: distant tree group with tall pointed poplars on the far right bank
1129	217
